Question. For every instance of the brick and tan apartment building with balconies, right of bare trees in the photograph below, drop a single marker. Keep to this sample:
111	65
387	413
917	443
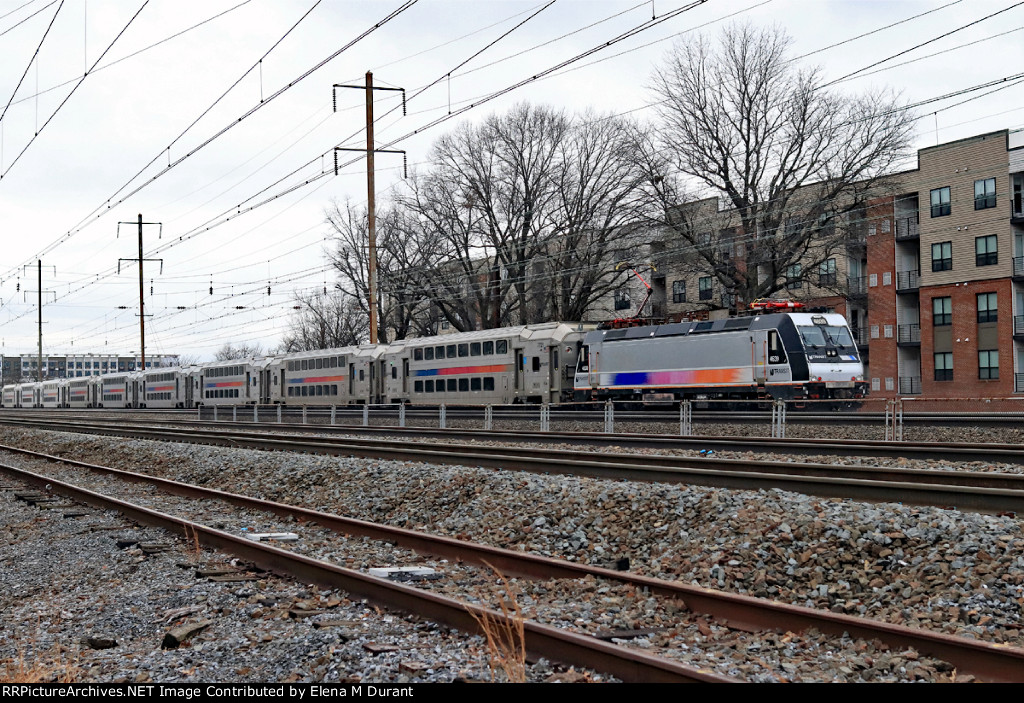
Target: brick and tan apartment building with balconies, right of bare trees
931	278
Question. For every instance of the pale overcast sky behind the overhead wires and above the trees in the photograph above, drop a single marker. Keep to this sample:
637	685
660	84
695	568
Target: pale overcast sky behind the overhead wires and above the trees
70	164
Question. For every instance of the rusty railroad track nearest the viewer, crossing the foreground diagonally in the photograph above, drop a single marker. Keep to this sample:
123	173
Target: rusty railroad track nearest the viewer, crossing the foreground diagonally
990	663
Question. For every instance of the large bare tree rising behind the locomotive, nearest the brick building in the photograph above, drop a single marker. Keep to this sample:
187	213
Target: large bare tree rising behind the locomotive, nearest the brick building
794	161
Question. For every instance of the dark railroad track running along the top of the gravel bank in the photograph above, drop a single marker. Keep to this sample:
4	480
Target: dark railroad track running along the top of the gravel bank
992	492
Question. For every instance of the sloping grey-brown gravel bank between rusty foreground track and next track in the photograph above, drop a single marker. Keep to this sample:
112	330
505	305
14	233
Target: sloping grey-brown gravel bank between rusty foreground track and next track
942	569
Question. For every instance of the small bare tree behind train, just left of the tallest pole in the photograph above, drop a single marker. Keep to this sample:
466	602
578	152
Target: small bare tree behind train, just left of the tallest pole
326	322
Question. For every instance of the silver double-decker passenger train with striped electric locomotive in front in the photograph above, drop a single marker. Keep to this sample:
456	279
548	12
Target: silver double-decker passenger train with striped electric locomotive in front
766	357
